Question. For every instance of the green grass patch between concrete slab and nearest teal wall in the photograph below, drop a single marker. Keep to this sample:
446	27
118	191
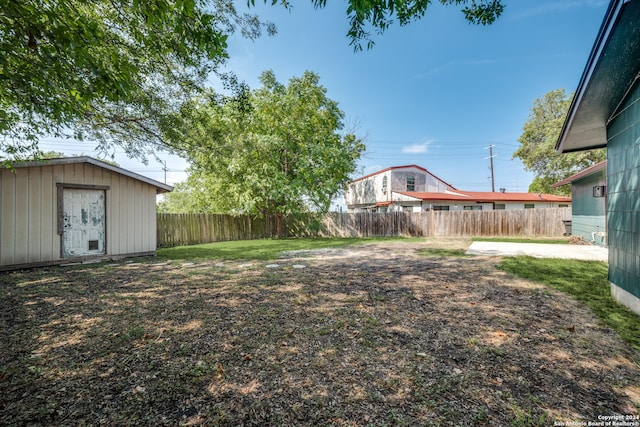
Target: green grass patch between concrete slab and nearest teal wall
584	280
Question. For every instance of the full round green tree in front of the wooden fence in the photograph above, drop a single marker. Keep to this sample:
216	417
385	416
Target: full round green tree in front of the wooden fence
278	150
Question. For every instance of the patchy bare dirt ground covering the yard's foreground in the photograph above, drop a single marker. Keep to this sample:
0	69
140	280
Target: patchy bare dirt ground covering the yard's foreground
369	335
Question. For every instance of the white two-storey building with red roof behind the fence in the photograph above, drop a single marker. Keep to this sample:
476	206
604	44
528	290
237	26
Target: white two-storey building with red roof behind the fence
415	189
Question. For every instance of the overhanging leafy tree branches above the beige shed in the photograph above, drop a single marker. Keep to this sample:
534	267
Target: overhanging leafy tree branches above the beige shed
111	70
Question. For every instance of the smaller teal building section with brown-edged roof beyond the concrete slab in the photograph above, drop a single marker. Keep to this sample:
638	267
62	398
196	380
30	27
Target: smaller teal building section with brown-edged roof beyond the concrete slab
589	196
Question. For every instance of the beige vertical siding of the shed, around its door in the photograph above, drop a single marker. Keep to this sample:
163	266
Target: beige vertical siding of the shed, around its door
29	212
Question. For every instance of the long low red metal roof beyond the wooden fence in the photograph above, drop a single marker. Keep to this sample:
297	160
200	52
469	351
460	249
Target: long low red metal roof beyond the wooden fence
486	197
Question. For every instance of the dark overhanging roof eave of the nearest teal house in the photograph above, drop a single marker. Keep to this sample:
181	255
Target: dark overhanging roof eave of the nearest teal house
611	71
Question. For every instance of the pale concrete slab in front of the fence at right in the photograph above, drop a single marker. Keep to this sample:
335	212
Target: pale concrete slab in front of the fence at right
539	250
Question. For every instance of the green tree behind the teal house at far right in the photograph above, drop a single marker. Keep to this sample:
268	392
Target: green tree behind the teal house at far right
538	140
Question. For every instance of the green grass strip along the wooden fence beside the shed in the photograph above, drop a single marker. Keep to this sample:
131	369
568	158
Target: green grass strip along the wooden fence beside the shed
264	249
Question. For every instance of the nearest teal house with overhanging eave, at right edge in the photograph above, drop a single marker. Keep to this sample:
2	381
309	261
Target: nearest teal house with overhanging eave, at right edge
605	112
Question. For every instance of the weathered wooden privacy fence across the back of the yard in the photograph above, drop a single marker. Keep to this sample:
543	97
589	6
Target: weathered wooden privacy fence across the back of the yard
189	229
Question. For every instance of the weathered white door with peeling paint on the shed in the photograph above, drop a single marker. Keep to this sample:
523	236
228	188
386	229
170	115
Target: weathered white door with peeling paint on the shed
84	222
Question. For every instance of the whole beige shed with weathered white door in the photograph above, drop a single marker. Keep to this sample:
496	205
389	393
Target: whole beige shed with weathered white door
72	209
